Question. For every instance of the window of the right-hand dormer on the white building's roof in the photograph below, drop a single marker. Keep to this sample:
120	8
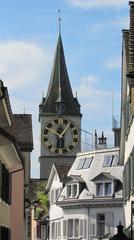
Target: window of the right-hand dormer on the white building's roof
104	188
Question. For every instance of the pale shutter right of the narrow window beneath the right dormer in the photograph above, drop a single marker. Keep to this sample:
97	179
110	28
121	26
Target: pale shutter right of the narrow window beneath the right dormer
109	223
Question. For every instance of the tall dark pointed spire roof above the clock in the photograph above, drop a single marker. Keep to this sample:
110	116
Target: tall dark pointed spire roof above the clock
59	89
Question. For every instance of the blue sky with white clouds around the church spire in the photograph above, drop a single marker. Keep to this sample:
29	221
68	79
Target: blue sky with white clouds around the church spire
92	38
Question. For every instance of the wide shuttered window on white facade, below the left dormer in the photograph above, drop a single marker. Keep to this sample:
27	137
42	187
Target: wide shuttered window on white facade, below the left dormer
74	228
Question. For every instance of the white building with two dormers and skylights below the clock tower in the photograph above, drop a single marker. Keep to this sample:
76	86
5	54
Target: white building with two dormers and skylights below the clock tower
88	203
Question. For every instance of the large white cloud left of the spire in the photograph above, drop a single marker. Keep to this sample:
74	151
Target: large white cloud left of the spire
22	63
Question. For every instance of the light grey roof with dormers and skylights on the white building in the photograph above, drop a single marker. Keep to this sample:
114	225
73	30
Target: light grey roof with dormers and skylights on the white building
96	170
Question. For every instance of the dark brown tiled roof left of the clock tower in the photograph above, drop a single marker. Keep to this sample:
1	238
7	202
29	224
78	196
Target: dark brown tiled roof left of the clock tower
21	129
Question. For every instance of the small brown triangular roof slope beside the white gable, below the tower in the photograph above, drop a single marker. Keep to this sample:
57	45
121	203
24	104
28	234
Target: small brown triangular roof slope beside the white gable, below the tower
62	170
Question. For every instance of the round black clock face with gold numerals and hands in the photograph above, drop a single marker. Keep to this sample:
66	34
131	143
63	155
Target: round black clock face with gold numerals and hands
60	136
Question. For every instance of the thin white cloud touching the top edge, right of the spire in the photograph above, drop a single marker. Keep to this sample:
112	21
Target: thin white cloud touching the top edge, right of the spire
88	4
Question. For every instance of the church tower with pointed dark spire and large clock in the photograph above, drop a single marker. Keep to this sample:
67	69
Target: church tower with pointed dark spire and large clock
60	118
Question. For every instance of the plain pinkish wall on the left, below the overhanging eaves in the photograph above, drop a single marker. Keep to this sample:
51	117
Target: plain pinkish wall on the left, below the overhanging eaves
17	207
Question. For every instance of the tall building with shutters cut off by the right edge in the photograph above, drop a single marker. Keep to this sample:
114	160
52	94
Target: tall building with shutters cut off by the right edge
127	122
